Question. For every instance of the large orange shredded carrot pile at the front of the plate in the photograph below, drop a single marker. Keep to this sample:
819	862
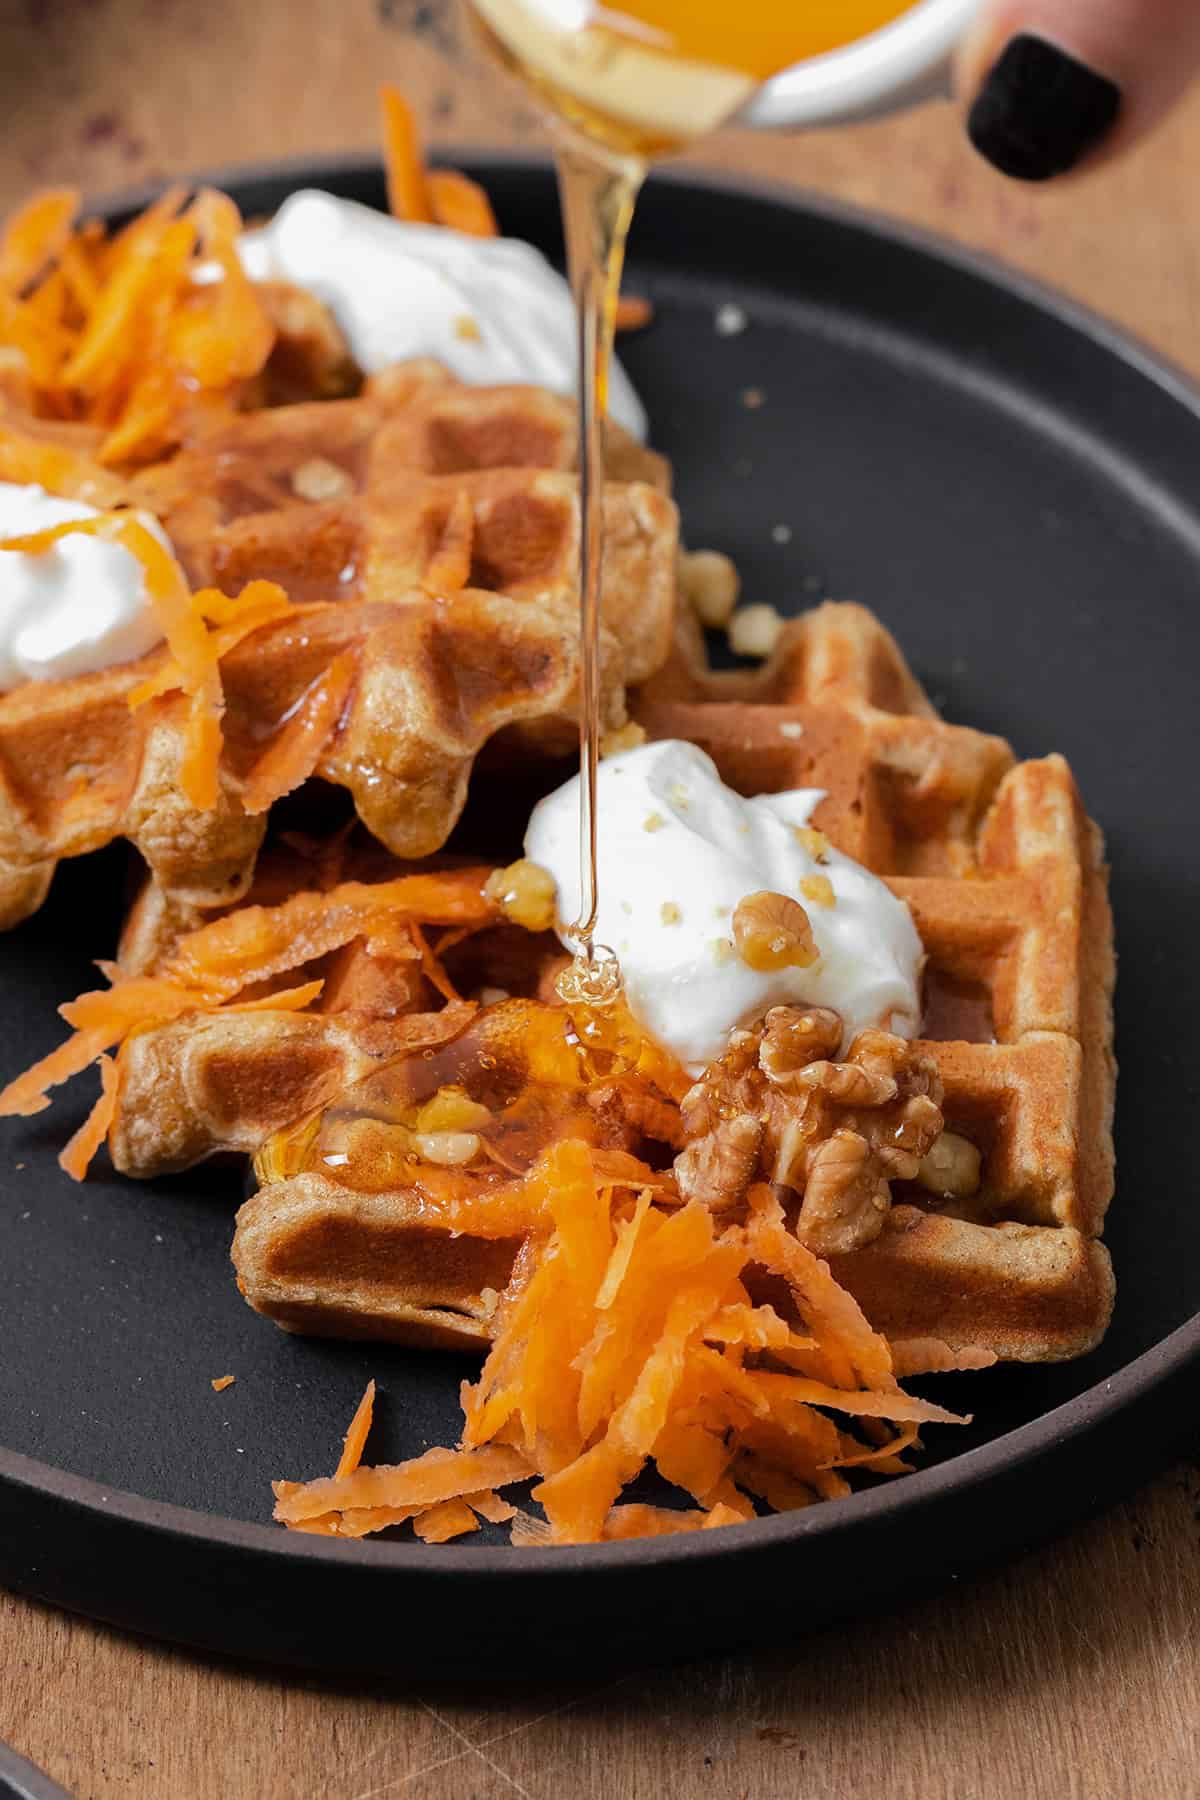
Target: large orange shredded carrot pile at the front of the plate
631	1336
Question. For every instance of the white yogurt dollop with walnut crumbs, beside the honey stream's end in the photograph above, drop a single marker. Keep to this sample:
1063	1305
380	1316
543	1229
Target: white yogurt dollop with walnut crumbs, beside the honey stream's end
677	852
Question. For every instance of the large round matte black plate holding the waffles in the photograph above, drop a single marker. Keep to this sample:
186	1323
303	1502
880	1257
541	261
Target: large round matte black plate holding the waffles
1012	487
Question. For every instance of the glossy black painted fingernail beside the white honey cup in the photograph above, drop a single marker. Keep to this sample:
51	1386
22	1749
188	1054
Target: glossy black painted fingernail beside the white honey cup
1041	111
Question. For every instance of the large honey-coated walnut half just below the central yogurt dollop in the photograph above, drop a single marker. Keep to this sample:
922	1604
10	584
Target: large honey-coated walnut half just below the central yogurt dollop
836	1133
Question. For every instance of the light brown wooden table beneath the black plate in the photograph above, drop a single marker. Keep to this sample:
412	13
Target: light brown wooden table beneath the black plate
1075	1673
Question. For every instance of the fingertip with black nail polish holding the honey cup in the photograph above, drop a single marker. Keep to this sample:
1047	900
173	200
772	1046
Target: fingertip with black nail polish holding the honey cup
1055	84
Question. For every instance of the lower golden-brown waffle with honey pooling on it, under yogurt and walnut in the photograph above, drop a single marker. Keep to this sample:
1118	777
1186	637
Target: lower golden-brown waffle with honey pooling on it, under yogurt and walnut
1005	877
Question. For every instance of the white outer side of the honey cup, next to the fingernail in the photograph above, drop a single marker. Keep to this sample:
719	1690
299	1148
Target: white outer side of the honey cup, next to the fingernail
899	66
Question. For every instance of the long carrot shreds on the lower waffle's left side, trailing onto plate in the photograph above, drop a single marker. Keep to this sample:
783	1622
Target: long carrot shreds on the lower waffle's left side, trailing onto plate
215	964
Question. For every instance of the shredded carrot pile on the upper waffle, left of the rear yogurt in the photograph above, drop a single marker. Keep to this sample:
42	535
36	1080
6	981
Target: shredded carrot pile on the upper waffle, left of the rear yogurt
120	332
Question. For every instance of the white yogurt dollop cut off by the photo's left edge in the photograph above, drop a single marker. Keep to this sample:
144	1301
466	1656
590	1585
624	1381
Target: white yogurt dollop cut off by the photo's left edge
78	607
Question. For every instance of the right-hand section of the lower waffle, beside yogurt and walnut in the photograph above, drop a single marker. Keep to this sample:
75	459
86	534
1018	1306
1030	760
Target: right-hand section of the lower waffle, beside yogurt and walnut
1007	881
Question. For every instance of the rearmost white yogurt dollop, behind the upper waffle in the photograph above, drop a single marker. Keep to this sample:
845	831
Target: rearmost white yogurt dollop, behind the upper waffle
490	309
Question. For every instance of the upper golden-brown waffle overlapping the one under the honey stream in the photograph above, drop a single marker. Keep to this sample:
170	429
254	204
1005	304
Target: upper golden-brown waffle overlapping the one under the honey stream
433	530
